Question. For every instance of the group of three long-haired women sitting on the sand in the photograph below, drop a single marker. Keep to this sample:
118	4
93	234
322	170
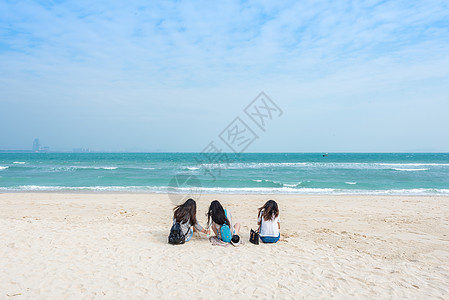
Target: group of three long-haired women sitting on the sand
220	221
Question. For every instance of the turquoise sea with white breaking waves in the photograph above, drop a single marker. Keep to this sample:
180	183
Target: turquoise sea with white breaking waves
301	173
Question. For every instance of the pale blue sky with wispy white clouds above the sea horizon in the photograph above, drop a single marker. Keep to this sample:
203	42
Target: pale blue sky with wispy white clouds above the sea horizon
349	76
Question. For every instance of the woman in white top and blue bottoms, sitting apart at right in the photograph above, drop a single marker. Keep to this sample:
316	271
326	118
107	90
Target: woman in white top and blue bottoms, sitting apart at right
269	222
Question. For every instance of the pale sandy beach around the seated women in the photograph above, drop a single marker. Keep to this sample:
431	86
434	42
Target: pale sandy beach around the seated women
114	246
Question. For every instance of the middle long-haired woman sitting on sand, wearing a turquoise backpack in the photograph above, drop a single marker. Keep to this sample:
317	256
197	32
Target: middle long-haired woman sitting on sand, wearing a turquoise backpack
217	216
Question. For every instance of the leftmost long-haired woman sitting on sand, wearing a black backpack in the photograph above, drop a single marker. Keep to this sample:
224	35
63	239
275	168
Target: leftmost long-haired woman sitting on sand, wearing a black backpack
185	215
